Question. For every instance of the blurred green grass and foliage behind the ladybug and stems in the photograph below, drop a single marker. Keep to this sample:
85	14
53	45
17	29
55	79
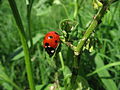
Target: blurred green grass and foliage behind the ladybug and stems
46	16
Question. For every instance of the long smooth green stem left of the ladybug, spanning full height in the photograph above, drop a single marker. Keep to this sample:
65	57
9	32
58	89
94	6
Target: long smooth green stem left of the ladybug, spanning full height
24	43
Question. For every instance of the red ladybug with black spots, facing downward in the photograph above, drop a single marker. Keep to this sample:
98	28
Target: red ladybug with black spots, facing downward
50	42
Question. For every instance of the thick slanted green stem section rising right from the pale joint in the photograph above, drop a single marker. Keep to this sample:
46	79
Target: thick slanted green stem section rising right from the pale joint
96	20
